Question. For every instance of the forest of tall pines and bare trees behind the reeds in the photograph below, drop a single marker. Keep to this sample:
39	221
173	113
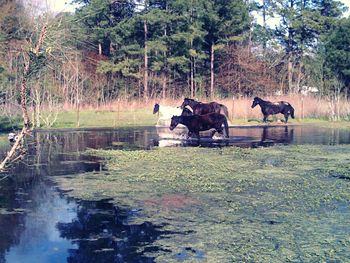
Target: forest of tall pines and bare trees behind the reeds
126	50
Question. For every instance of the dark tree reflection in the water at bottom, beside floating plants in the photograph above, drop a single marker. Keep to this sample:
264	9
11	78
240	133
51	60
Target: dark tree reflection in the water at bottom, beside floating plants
102	234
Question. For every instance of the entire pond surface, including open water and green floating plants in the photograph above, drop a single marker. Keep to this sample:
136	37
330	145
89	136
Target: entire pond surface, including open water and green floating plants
133	201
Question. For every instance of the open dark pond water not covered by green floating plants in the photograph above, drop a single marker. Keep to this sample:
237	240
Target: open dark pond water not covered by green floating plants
39	223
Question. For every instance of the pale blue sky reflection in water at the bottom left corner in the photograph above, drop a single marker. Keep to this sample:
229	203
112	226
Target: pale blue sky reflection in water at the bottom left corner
37	238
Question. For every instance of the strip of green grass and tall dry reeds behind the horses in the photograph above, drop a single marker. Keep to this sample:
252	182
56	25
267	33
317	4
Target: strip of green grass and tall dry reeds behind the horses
139	113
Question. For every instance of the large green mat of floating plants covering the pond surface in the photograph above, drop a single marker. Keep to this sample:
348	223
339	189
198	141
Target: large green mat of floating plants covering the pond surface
278	204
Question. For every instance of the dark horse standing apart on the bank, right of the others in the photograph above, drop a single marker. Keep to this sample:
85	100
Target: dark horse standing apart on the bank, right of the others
271	108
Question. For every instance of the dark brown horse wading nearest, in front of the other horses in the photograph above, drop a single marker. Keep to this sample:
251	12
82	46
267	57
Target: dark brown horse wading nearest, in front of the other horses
197	123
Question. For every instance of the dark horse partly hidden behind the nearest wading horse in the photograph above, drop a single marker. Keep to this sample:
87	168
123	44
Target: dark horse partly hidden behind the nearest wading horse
200	108
